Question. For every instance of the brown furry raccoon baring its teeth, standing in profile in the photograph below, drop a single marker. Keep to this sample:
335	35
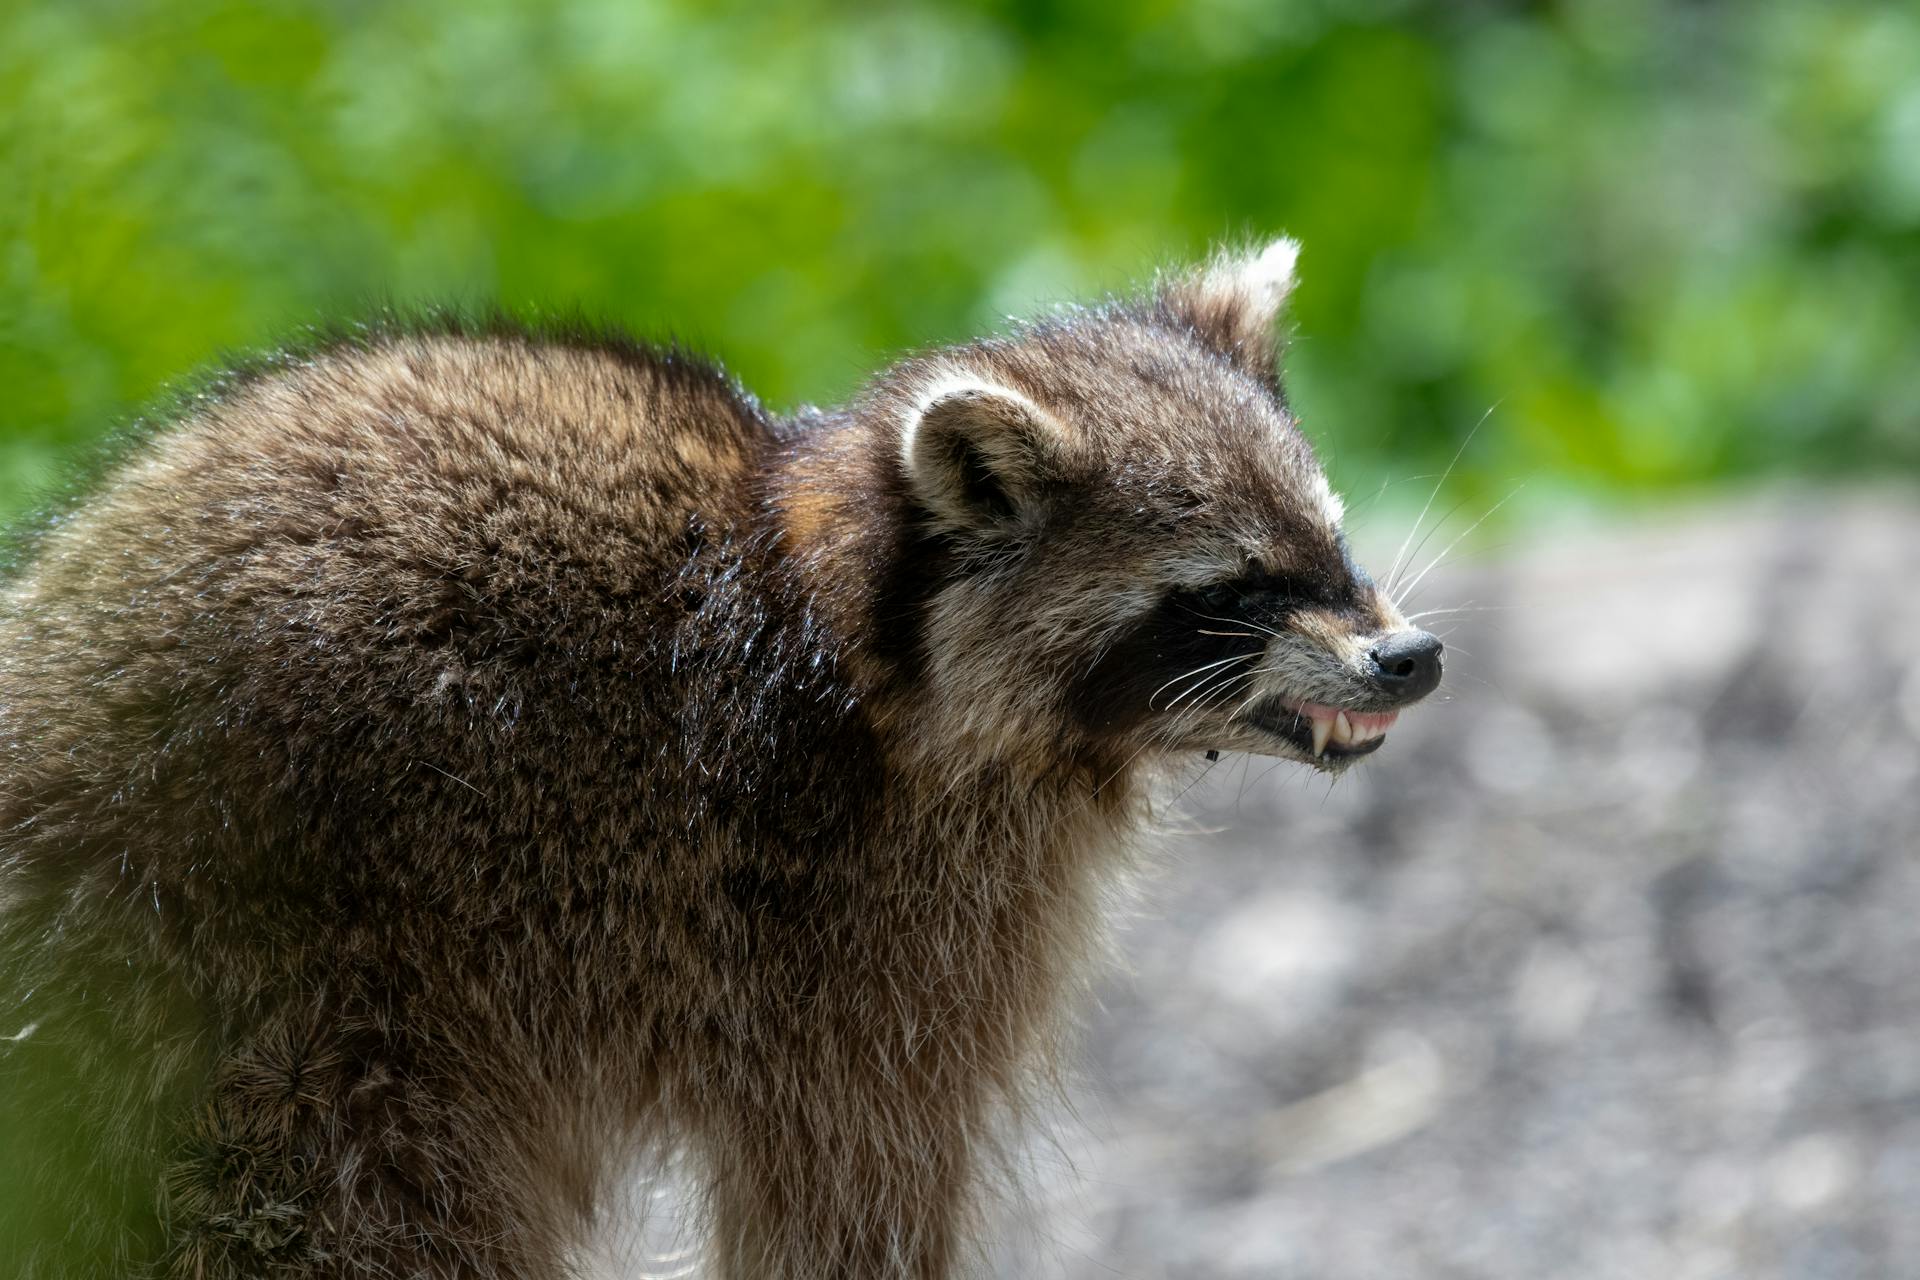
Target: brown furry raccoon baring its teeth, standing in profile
456	759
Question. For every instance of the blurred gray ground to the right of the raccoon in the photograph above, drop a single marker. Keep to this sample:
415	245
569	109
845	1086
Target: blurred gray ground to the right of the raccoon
1606	968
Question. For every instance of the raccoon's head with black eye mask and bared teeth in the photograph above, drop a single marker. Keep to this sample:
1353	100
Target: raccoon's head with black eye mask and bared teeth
1124	540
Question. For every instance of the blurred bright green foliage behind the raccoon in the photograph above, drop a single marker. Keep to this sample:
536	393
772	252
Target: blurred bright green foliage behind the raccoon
1656	245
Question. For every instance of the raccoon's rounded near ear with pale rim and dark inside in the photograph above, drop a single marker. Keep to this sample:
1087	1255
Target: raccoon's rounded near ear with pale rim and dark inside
978	456
